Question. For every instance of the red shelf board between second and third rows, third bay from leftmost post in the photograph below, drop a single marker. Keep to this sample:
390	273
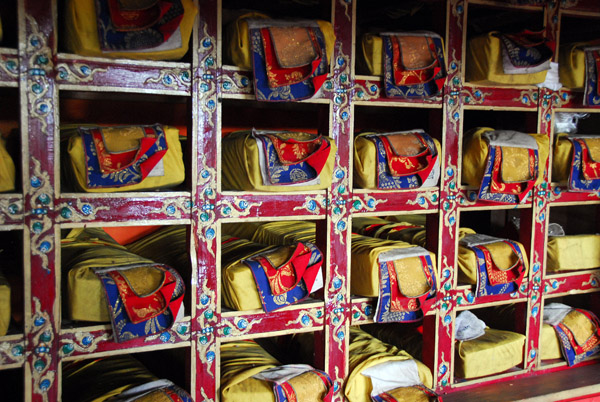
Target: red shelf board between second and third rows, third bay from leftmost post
426	199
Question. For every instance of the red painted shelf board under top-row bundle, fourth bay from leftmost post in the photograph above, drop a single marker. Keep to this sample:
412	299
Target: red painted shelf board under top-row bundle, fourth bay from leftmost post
485	97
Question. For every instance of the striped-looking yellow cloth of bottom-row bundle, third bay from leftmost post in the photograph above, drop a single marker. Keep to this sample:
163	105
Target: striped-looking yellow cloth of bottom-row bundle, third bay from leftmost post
366	351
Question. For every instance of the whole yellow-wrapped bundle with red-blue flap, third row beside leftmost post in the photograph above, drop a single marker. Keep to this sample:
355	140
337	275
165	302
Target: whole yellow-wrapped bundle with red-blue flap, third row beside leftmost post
108	283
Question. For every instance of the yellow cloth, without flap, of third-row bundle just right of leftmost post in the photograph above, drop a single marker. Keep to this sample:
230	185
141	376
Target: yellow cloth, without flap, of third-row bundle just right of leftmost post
82	250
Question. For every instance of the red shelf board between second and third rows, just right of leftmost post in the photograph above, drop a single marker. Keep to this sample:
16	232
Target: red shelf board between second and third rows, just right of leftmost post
123	207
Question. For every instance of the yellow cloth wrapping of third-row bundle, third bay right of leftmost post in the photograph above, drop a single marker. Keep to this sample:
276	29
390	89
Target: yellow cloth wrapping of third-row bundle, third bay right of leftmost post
365	263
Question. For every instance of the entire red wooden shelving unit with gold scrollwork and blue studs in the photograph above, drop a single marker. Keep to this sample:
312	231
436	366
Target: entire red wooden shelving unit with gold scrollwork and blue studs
40	84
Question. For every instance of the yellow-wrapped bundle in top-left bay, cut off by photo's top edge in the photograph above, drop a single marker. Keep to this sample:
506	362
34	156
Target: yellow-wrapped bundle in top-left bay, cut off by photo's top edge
134	29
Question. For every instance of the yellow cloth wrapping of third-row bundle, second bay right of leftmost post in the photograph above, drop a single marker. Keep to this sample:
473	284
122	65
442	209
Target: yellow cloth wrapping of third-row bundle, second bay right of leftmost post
238	286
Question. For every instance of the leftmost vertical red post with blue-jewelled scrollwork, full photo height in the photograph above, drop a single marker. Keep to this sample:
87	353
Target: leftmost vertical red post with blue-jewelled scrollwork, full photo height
38	98
